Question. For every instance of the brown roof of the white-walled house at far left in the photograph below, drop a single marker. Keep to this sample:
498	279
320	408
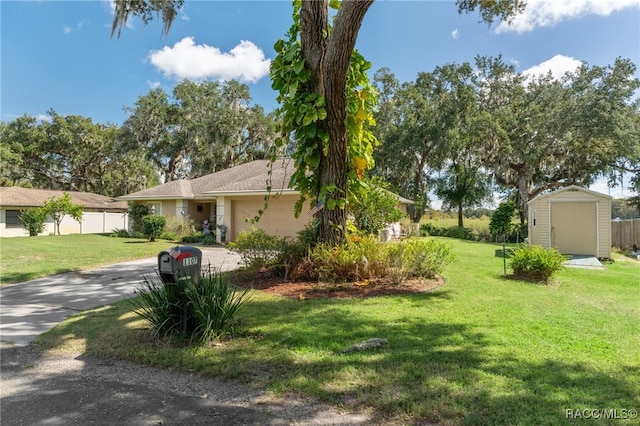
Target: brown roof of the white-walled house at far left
15	196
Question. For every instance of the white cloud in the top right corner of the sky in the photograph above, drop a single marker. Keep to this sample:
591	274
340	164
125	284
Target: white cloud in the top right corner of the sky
547	13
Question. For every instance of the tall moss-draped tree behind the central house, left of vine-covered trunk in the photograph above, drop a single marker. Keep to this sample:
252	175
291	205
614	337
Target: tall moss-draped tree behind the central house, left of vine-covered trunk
202	128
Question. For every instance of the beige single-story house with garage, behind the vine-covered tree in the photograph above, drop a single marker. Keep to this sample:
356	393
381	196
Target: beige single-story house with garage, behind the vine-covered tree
231	198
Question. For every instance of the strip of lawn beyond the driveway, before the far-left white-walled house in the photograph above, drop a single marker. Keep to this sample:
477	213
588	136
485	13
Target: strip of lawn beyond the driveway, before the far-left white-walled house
23	259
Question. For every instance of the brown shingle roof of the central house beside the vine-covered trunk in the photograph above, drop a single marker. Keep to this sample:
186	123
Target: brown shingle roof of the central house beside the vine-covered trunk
248	177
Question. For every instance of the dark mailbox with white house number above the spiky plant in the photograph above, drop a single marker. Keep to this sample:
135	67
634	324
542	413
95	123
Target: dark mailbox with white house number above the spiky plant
180	263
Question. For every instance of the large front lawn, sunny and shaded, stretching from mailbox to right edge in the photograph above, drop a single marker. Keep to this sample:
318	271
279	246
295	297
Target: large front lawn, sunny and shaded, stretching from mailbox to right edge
482	349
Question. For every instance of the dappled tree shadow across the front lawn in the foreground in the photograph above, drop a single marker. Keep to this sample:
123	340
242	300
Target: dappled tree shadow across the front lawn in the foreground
431	371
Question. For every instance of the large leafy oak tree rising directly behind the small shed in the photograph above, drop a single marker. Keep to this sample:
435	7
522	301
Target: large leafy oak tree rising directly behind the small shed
541	133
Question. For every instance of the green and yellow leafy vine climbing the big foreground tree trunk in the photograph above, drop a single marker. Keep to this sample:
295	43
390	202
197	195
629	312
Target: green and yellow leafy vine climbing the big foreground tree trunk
304	130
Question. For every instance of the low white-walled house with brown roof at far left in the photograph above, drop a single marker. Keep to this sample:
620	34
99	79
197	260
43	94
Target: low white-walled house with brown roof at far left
100	214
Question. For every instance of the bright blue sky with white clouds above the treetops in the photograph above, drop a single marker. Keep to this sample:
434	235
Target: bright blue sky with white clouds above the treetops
59	54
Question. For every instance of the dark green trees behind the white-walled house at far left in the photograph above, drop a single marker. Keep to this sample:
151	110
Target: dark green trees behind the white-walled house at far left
70	153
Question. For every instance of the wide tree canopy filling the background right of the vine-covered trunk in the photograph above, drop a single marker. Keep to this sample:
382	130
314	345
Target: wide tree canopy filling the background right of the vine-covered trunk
488	123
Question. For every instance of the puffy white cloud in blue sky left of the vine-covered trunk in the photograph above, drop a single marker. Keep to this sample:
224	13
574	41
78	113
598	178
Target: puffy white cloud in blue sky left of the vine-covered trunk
245	62
